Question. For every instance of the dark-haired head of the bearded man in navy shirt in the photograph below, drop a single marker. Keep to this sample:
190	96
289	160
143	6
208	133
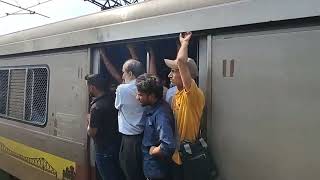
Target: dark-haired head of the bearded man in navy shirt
150	89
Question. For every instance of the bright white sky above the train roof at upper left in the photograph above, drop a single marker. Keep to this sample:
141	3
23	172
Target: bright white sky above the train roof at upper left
57	10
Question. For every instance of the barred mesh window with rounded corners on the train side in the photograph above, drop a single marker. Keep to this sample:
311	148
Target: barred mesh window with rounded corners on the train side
24	94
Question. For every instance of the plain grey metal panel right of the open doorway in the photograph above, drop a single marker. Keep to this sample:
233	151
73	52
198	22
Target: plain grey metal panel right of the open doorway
266	117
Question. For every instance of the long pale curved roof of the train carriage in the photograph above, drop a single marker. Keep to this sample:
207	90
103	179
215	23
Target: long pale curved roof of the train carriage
153	18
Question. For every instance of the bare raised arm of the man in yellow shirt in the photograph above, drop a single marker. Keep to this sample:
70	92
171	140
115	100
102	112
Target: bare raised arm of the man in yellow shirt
182	58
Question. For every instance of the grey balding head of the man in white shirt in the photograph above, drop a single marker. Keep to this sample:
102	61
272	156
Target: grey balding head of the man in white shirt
131	69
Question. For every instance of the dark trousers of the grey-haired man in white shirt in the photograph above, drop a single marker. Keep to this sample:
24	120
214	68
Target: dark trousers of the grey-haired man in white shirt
130	157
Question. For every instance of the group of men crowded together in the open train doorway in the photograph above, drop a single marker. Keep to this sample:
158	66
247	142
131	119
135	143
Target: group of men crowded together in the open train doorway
152	124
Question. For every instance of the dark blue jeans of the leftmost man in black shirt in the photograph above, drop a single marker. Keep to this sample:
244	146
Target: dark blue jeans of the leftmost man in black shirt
108	164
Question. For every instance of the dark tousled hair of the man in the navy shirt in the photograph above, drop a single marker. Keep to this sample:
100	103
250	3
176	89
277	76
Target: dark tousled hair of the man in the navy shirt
150	84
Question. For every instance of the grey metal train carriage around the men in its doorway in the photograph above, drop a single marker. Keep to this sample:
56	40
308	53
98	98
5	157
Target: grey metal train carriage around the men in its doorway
258	63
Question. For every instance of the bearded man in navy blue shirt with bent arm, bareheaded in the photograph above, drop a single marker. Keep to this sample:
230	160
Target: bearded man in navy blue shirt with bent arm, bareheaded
158	144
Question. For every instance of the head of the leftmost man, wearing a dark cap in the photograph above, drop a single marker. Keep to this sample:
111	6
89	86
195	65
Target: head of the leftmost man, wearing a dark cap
97	84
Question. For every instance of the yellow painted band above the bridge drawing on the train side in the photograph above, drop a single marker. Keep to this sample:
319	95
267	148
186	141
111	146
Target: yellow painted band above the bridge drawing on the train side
58	163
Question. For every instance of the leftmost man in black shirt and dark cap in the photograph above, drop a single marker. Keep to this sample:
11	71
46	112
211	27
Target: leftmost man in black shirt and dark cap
103	127
